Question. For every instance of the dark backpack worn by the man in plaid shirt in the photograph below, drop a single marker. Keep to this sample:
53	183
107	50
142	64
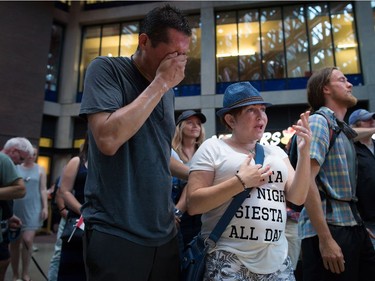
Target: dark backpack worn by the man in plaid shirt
334	131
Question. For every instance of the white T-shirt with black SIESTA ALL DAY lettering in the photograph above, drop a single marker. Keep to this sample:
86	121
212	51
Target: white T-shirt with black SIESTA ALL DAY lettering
256	234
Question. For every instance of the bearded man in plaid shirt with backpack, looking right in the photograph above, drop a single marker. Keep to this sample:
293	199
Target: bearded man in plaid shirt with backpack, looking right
335	243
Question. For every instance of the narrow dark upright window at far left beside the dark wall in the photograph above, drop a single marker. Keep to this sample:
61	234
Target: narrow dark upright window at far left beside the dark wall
53	63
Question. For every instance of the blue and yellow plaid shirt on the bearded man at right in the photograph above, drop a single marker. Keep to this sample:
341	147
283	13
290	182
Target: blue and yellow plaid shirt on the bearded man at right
334	174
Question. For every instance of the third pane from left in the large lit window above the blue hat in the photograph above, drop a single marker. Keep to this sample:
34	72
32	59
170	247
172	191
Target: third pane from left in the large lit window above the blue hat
272	38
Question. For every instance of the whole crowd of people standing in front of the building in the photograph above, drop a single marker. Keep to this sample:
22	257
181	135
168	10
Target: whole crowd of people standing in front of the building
146	184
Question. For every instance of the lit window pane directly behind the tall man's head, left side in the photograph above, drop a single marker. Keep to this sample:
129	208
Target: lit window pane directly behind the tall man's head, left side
129	38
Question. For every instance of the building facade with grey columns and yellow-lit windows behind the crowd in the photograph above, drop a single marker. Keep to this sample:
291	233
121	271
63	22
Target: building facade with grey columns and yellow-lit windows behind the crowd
275	45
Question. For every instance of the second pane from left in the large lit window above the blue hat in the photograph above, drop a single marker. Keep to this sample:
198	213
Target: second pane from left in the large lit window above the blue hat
249	45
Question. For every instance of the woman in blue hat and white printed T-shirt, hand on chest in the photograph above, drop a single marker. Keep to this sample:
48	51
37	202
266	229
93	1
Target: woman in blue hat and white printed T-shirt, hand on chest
253	245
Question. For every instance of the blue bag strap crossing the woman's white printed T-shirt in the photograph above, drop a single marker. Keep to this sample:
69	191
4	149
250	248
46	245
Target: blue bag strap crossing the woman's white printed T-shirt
236	202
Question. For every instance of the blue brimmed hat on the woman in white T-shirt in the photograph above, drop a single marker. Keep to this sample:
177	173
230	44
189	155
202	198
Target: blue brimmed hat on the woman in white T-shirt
238	95
